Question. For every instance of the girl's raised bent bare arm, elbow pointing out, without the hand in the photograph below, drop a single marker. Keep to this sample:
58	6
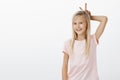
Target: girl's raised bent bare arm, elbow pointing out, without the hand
101	27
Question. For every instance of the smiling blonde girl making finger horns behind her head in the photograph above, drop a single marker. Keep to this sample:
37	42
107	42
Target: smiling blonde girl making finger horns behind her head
80	51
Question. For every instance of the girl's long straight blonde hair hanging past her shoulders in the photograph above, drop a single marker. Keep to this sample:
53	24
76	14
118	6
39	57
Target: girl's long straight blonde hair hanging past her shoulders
87	35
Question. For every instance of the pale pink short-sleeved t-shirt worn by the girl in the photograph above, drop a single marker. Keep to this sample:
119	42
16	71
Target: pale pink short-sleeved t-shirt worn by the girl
81	68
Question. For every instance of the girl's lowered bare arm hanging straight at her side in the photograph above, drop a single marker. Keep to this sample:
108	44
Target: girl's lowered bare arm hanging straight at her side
65	67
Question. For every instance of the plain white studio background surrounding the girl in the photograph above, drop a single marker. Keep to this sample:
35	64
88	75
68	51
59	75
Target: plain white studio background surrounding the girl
32	33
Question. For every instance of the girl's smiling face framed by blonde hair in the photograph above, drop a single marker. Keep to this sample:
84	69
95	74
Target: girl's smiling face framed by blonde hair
79	25
